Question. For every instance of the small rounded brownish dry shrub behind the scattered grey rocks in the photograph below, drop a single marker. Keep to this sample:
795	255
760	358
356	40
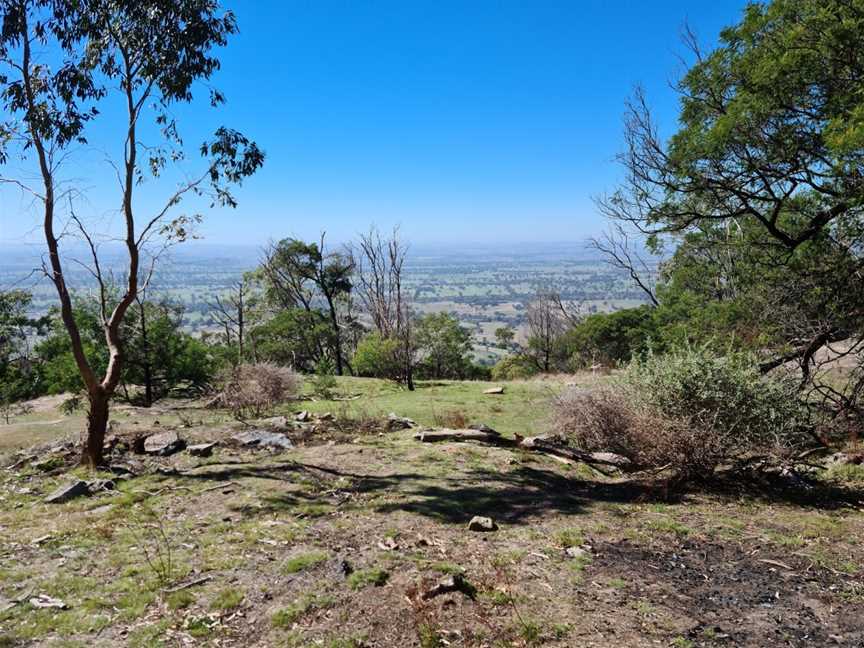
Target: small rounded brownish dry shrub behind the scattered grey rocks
252	390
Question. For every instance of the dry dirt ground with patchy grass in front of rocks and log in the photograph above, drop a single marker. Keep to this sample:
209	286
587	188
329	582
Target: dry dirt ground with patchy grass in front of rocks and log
342	541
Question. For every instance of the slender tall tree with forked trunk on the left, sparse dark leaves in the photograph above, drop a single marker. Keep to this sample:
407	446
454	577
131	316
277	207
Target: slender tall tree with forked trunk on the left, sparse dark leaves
65	65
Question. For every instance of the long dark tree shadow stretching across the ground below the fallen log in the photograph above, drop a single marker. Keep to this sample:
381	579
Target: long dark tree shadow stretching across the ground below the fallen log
514	496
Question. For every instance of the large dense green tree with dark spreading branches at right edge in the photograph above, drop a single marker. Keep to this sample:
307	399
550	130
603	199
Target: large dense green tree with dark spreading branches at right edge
763	181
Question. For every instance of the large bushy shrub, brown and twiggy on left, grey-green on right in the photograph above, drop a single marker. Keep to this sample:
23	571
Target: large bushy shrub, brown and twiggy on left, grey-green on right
690	410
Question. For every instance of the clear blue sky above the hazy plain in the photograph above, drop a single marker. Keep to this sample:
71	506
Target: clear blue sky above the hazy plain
461	121
